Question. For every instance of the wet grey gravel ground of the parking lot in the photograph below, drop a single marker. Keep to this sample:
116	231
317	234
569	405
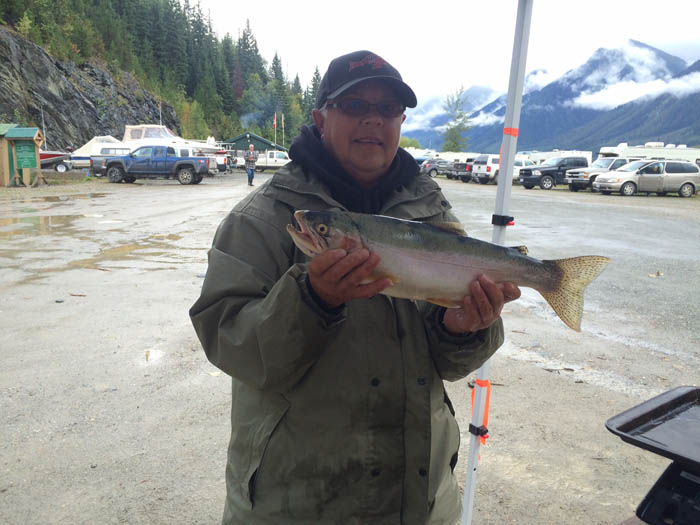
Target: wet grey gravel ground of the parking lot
111	412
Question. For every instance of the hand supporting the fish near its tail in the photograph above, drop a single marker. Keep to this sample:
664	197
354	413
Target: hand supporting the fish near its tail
480	309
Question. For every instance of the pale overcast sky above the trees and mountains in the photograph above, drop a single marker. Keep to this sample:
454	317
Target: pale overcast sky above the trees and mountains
441	45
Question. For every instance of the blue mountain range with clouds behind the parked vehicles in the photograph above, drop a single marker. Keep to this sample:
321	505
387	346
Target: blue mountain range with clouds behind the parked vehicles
635	93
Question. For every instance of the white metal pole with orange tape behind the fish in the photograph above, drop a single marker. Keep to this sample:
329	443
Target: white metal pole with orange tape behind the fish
500	220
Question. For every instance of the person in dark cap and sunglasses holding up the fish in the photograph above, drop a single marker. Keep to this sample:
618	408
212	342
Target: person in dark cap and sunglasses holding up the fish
339	412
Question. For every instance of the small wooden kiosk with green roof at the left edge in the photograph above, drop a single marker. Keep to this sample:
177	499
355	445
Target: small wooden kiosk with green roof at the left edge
19	155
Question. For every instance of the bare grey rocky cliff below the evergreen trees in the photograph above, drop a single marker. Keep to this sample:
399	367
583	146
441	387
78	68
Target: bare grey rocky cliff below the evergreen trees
79	101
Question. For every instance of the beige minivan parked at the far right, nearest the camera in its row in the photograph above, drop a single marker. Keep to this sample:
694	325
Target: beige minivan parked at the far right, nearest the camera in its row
651	176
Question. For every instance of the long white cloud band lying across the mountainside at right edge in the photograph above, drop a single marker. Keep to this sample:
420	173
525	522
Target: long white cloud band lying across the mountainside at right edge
623	92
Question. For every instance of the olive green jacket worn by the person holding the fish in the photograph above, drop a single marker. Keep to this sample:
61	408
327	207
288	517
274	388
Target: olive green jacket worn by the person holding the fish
336	417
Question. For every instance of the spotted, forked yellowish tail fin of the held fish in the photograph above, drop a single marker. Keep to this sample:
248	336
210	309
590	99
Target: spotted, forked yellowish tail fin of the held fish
566	299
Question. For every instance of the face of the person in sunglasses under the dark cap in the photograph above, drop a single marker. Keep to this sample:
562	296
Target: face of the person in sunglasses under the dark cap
364	146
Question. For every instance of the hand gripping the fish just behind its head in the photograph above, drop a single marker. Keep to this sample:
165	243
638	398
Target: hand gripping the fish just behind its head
336	275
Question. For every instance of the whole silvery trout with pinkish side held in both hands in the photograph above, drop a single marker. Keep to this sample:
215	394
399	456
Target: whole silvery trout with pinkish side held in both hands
436	262
